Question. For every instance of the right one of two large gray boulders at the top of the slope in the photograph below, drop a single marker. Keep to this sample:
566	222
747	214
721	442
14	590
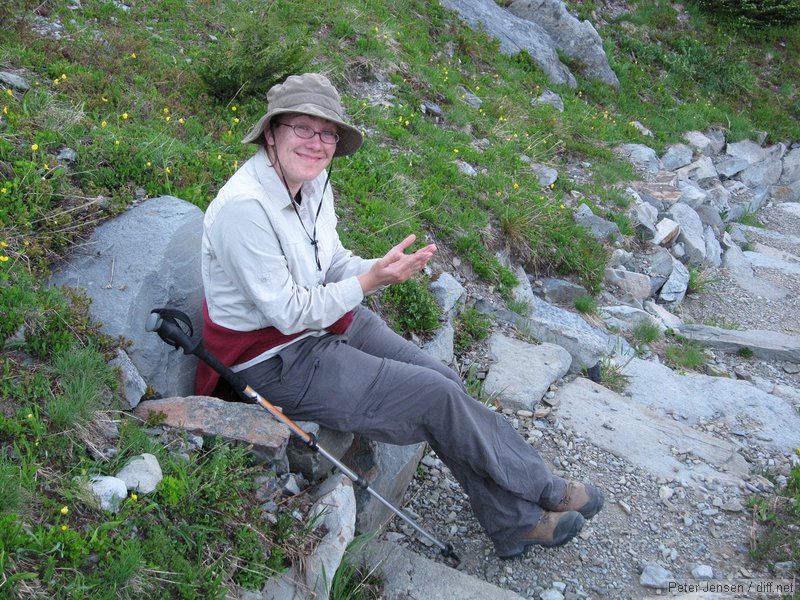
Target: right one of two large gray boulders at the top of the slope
578	40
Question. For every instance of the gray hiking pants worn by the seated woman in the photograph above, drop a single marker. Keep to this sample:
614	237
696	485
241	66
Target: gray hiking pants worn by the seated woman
373	382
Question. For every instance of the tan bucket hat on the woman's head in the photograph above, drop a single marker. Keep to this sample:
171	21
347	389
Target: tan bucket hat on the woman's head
308	94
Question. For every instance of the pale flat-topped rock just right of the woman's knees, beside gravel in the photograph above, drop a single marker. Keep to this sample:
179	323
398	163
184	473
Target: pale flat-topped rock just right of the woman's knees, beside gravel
522	372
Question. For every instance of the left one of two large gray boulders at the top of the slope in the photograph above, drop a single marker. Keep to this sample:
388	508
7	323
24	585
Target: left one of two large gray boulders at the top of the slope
514	34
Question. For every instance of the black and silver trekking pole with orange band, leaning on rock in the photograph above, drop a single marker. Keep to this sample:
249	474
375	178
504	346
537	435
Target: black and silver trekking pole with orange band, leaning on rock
164	322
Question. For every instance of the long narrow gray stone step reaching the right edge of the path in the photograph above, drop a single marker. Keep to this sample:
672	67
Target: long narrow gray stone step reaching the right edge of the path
767	345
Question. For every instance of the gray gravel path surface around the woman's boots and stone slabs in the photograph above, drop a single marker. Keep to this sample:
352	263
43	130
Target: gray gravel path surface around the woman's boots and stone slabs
645	518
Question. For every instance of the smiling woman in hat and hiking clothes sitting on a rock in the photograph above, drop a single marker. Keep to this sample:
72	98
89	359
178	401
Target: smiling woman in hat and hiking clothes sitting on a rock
283	308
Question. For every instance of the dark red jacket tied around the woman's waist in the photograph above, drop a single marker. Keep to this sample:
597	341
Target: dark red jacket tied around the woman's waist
232	347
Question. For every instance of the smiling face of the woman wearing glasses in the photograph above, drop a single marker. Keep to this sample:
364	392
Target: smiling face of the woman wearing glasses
297	159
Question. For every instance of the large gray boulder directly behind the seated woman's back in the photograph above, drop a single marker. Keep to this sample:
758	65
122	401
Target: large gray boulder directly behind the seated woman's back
147	257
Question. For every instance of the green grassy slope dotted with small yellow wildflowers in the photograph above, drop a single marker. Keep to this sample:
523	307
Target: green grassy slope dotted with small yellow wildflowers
153	99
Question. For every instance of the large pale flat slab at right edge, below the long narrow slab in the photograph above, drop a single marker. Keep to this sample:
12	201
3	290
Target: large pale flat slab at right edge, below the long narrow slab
763	418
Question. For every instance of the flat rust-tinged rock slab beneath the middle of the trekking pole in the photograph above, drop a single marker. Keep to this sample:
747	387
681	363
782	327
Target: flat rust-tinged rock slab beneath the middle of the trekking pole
233	421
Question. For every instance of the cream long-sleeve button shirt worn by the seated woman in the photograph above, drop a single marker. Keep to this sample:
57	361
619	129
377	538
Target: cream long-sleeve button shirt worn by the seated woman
258	264
